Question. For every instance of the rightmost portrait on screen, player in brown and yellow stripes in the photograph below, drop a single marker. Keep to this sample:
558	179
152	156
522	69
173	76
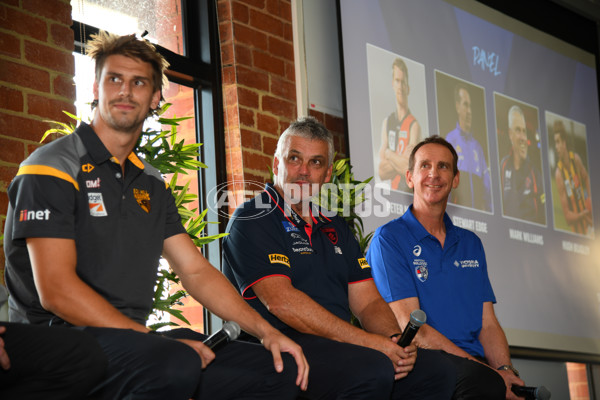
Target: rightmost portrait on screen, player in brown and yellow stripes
570	179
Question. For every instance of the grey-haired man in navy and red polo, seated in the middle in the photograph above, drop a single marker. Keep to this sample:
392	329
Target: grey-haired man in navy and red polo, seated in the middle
303	271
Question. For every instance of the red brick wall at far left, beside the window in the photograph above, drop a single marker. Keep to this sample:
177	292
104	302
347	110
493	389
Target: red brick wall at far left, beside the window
36	80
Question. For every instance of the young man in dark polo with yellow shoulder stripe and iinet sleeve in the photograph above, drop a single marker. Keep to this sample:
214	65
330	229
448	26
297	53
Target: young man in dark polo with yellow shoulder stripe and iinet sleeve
86	225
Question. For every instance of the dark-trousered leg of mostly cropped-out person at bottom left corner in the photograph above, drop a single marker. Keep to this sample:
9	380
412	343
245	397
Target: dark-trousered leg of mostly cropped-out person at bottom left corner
49	363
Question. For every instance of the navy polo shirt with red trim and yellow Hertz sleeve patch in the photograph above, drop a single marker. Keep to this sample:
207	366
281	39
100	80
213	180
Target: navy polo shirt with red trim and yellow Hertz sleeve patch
267	238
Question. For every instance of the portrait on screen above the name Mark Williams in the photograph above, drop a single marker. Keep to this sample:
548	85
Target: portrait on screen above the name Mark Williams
519	152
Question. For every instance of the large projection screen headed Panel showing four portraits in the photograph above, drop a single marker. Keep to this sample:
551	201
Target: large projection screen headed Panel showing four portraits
544	267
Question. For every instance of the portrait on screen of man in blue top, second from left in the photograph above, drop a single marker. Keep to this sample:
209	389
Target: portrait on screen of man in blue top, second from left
462	121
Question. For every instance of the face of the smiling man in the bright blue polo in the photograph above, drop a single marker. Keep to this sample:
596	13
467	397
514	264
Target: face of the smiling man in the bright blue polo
432	178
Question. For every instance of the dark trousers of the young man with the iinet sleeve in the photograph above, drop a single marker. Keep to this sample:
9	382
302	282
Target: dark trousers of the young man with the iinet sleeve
151	367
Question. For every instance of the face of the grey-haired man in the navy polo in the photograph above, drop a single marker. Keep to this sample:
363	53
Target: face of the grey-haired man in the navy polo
302	169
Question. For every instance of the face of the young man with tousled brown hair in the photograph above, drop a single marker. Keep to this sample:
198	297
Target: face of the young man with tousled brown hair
125	93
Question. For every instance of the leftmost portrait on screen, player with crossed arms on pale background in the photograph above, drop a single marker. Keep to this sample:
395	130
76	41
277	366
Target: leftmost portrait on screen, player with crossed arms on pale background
398	114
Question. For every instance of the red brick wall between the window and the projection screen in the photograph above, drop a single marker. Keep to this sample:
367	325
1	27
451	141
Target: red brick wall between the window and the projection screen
259	87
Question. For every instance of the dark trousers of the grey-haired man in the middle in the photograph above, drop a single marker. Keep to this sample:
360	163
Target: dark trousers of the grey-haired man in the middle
346	371
